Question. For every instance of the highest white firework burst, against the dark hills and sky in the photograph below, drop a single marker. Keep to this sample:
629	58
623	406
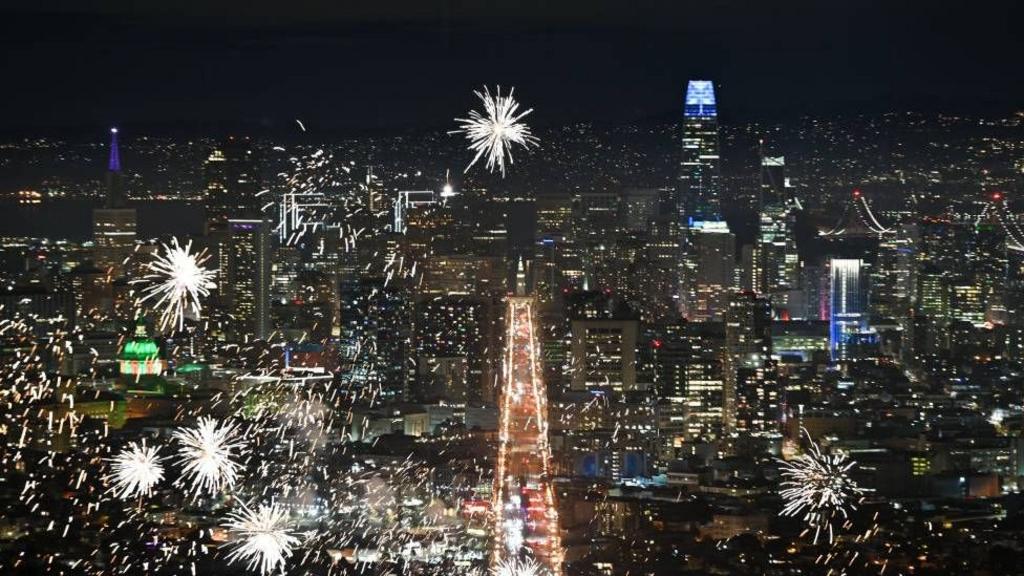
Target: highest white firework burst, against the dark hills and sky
494	133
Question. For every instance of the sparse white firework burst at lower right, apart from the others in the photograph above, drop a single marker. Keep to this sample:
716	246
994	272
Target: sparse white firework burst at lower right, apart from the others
819	486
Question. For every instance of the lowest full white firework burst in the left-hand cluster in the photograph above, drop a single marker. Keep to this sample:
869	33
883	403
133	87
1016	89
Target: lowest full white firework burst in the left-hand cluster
262	538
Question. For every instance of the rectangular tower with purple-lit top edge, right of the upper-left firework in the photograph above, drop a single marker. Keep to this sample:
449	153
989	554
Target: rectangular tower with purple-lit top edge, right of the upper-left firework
248	287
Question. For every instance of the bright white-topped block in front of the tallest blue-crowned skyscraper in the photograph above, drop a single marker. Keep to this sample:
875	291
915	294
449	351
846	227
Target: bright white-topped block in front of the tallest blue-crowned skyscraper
709	270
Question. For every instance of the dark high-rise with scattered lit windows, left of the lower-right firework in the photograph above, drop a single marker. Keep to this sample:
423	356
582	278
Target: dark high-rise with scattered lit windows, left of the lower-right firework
752	403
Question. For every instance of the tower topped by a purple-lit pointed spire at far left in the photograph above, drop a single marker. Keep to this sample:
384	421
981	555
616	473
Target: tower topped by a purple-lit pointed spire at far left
114	225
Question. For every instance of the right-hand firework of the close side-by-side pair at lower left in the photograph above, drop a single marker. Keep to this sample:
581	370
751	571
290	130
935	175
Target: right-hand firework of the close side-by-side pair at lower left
206	454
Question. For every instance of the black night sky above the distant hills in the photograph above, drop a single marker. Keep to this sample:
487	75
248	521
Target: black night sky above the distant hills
406	64
